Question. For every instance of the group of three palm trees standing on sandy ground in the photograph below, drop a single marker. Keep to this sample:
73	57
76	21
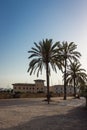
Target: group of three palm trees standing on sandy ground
58	56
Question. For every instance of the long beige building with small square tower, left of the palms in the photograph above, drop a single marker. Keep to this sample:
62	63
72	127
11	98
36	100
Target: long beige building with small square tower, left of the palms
32	88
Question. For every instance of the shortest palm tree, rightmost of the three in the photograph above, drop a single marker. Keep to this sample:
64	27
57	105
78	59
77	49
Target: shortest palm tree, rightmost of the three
76	75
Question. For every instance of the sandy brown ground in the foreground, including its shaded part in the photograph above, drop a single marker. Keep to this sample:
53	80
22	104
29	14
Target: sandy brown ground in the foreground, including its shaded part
36	114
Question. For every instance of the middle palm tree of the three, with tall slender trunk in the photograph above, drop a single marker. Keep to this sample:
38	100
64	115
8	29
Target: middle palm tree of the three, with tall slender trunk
67	53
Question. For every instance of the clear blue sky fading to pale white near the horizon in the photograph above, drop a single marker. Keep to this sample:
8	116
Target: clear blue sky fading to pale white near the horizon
23	22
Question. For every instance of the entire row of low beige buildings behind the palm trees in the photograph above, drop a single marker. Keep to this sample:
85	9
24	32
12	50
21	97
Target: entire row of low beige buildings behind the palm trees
38	86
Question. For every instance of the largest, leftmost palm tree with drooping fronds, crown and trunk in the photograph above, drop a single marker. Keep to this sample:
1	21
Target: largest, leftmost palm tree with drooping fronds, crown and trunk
43	55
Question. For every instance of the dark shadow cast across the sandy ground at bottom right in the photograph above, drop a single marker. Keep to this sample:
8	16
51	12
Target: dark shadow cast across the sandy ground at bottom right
75	119
